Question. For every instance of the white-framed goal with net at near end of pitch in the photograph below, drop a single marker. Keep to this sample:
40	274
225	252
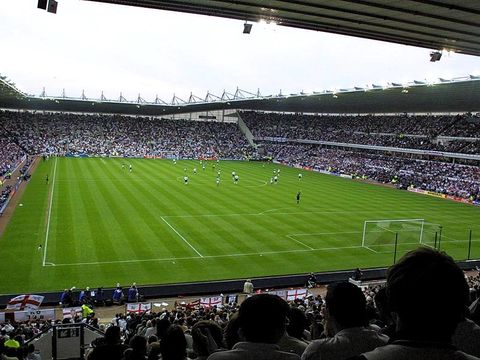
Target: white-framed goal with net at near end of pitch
380	235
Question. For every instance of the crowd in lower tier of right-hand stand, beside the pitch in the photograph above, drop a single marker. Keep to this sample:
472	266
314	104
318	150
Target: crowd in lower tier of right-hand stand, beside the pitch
441	177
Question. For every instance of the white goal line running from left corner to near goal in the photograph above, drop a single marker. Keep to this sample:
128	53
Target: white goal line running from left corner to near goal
205	257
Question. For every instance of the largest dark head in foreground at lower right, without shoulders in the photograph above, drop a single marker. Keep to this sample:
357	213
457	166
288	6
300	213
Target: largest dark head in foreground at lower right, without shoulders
428	294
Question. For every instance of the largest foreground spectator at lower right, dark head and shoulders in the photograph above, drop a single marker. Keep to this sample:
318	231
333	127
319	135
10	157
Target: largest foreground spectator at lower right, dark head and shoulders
426	315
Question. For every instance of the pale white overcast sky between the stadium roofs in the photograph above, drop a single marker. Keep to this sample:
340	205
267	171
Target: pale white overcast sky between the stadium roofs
95	47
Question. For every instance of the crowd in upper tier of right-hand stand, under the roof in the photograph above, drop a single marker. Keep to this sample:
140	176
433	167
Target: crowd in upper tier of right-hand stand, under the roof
405	131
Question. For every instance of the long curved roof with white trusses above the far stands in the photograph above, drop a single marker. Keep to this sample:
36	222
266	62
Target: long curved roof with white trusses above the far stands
458	95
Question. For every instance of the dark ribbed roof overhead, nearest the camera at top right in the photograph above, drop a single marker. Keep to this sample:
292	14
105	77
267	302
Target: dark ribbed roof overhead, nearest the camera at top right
435	24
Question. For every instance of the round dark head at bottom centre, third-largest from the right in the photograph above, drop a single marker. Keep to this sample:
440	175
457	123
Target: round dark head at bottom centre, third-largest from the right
262	318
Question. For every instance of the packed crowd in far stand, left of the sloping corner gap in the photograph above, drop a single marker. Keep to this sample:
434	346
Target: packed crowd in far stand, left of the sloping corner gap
105	135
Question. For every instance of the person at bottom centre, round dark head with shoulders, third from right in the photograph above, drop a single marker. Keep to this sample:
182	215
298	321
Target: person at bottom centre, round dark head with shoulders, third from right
262	320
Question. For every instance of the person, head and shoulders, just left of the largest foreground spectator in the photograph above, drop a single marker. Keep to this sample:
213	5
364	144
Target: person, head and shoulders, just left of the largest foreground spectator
346	318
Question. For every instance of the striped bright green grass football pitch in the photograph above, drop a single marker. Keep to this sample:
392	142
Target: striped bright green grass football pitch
99	224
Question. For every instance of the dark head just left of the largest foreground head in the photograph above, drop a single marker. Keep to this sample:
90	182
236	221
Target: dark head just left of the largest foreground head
345	306
